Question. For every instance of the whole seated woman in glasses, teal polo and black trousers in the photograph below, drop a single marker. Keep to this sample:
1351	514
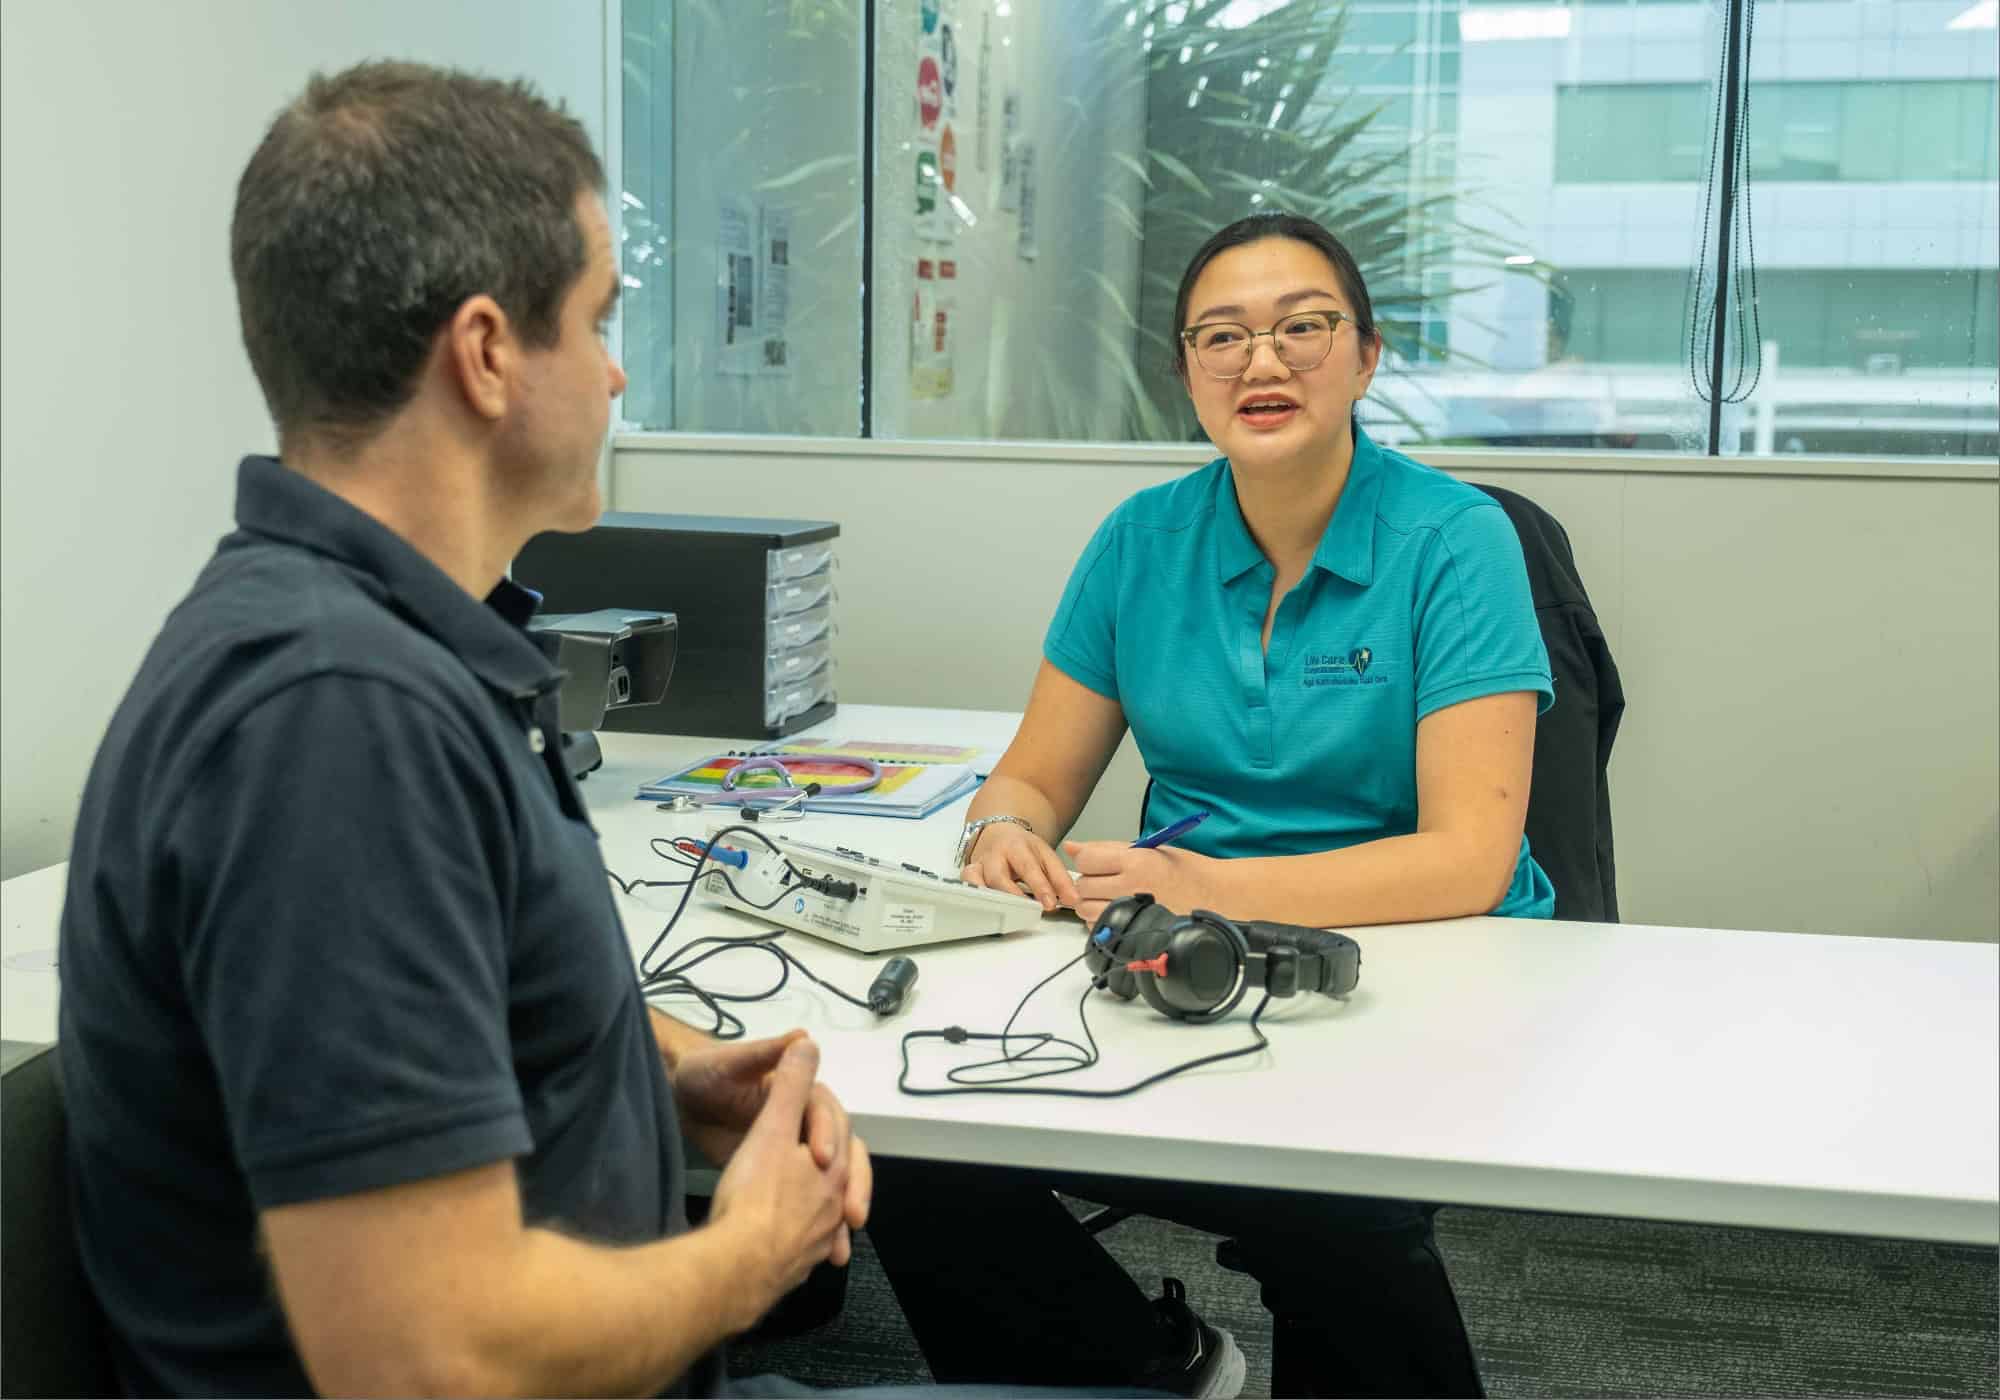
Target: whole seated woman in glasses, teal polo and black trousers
1333	651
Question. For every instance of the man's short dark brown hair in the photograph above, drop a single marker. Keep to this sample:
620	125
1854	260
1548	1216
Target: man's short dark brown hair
379	203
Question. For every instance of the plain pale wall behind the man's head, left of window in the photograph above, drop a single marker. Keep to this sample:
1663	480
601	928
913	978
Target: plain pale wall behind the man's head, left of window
127	399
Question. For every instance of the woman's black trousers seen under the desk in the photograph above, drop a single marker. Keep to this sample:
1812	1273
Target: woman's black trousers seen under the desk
1005	1287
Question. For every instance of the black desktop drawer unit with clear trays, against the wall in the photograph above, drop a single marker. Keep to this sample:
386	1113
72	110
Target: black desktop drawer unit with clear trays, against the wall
755	601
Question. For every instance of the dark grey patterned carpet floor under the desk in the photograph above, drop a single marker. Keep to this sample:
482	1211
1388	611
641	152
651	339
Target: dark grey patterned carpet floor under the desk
1575	1307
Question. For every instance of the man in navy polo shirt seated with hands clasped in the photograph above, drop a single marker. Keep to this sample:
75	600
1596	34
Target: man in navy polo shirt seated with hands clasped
363	1089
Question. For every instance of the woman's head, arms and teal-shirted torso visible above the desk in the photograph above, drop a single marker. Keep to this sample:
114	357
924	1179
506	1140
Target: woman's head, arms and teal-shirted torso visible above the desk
1323	645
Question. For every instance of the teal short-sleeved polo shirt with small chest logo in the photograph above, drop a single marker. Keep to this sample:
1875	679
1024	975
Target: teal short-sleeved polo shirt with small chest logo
1415	601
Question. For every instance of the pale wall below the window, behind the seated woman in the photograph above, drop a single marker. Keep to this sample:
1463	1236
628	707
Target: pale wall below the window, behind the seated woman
1813	663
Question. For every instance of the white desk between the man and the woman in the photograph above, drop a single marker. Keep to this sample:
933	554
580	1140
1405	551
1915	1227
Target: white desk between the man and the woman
1787	1081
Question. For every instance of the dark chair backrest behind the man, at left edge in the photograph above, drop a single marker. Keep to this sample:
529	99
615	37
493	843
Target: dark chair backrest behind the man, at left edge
57	1343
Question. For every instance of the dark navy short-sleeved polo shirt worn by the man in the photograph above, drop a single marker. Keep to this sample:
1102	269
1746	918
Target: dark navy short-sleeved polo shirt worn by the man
337	921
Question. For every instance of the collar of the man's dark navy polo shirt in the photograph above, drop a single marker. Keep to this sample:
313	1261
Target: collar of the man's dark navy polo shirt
491	639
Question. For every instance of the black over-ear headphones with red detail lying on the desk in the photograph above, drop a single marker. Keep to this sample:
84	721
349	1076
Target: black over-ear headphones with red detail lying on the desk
1201	967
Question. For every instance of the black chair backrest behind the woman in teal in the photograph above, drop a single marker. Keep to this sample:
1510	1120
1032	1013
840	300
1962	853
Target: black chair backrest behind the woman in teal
1569	797
